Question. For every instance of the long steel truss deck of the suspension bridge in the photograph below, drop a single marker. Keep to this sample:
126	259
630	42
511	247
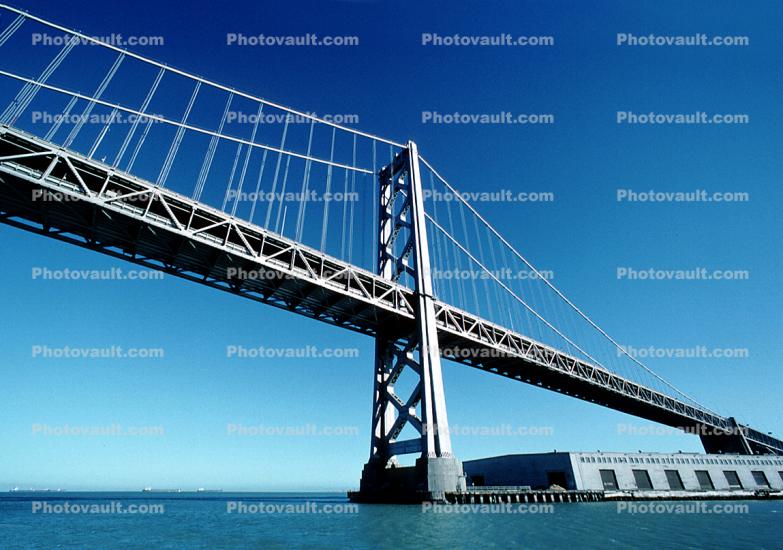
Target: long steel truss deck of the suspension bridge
66	196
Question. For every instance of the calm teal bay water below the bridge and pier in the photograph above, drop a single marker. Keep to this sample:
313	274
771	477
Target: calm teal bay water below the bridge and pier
328	521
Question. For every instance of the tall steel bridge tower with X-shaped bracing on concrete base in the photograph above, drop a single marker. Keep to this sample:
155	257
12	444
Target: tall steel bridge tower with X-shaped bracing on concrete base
403	252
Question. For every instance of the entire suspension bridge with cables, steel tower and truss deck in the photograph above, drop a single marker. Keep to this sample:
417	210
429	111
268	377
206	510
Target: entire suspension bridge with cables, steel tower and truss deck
106	149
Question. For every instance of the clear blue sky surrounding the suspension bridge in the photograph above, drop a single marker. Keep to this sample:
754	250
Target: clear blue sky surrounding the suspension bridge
388	80
